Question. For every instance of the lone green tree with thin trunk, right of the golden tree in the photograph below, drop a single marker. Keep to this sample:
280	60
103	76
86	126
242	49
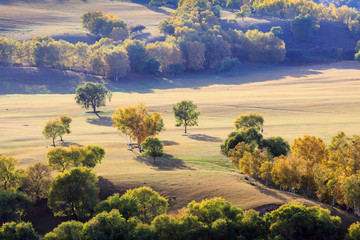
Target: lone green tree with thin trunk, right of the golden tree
186	114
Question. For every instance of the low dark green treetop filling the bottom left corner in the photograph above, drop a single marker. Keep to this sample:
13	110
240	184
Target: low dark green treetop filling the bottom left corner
18	231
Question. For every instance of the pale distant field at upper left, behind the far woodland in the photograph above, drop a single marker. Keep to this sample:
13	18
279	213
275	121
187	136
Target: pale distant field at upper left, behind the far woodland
22	20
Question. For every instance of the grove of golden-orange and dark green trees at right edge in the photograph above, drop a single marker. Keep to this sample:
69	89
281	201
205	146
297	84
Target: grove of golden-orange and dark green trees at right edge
330	173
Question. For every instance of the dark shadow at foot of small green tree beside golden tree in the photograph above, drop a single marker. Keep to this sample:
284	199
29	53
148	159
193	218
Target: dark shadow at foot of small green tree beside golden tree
165	163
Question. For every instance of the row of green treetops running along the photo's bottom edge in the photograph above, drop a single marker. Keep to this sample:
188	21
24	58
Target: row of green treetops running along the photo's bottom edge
141	214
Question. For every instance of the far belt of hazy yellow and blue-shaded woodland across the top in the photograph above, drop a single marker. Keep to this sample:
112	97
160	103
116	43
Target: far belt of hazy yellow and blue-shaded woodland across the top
195	40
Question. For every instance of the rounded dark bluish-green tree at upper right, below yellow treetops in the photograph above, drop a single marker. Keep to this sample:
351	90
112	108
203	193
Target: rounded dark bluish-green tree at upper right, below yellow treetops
302	27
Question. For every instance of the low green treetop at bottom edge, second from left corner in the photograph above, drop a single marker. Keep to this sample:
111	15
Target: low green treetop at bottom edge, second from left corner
66	231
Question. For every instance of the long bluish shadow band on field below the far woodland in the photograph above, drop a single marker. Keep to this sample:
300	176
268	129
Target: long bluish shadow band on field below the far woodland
53	81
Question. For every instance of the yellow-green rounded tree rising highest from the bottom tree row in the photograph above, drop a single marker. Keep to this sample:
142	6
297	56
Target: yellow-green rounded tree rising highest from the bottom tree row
151	204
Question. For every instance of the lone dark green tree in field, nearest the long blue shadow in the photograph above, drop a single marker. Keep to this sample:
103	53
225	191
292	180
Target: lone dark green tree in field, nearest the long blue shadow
92	95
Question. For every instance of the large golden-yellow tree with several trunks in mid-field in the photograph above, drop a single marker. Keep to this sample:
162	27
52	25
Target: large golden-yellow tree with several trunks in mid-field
137	123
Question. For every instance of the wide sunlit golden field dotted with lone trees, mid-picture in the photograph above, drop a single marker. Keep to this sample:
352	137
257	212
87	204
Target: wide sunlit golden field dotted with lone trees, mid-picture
317	100
